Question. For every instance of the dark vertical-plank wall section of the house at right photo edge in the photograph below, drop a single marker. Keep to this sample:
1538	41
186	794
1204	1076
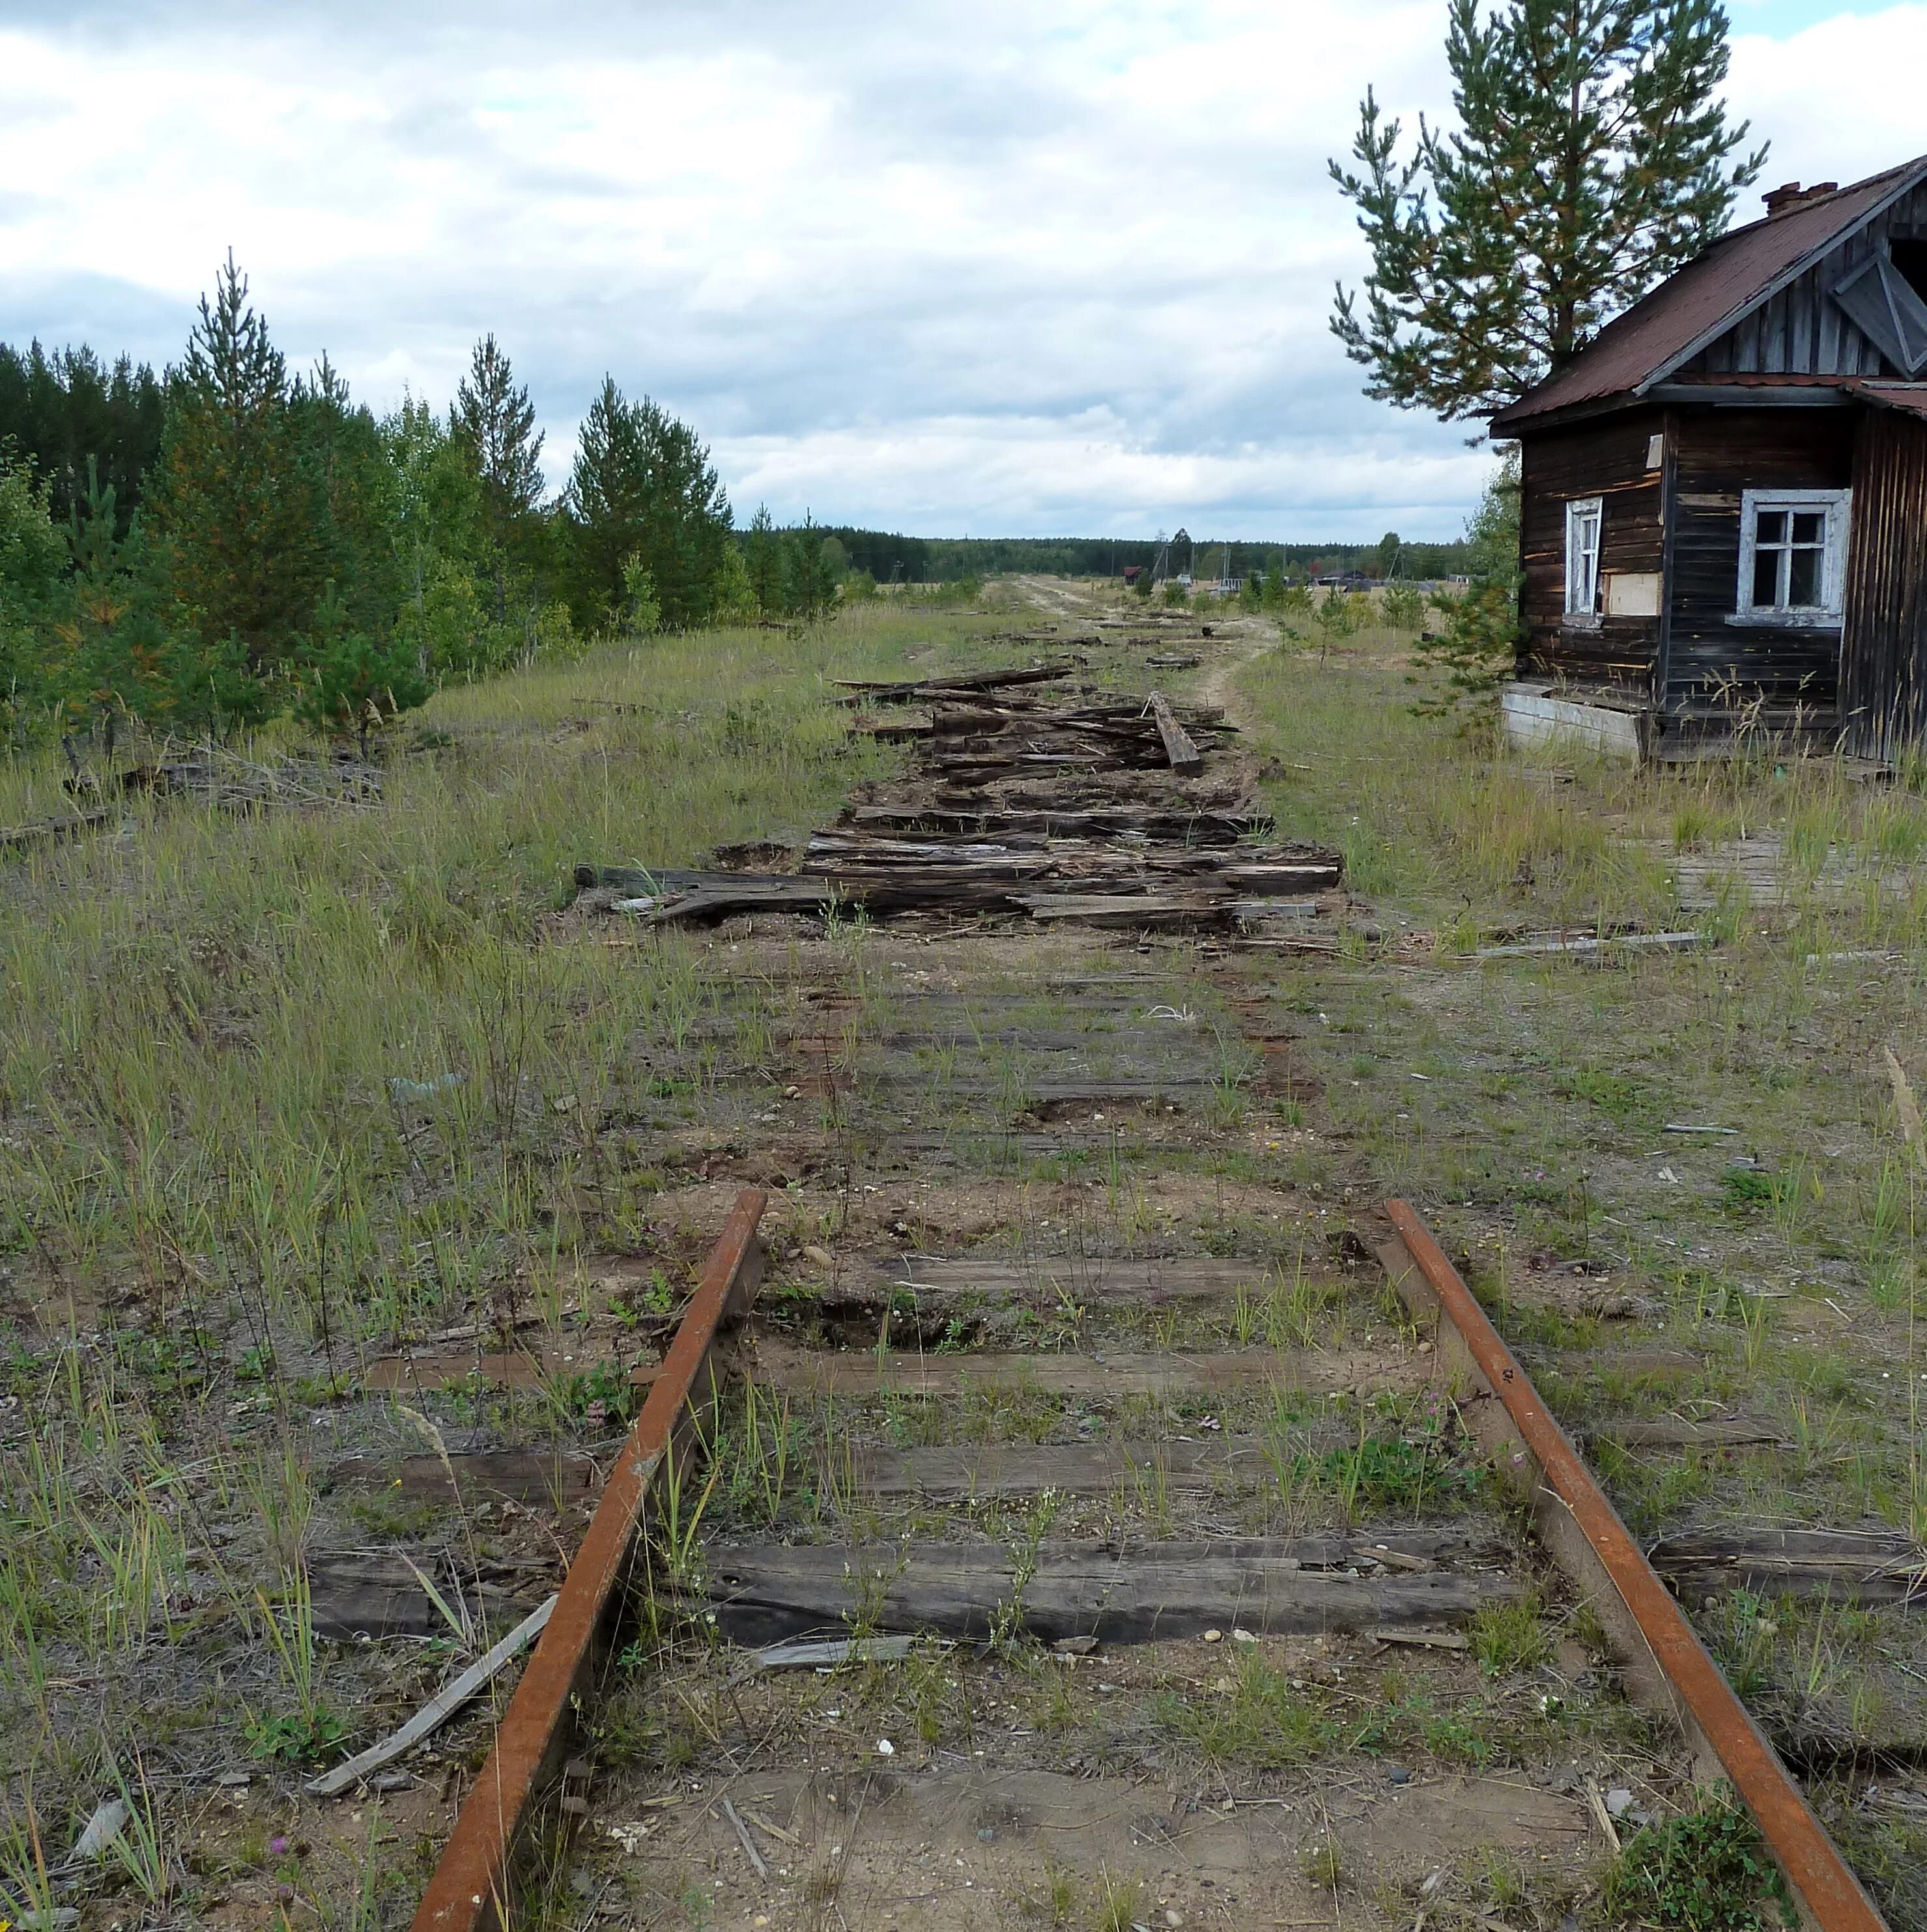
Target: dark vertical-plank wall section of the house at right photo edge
1884	683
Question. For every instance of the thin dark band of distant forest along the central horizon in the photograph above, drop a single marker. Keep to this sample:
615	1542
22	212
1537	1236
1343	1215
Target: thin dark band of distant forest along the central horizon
890	557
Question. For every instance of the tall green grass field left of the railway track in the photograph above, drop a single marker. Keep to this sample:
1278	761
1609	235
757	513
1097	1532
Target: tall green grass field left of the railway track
283	1089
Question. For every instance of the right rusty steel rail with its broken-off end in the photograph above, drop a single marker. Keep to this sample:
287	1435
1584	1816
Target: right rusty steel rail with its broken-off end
1667	1666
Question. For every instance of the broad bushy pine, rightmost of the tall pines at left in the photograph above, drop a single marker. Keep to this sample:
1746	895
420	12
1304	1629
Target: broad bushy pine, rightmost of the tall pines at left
643	496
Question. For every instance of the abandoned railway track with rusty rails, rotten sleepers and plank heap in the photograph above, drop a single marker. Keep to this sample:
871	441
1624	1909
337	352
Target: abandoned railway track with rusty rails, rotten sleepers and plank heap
1041	1514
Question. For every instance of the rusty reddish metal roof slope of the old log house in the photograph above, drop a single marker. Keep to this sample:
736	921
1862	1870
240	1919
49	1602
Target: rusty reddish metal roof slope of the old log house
1708	297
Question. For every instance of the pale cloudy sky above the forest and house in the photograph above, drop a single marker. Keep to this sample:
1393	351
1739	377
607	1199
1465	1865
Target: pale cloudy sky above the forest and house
1014	268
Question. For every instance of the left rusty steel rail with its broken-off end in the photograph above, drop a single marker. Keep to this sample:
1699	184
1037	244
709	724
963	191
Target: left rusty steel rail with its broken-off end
475	1883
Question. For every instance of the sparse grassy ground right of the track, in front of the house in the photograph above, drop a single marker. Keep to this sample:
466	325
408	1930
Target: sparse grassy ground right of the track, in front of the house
1768	1264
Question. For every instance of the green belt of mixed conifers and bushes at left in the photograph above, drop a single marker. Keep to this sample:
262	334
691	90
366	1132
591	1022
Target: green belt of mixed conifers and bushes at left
227	542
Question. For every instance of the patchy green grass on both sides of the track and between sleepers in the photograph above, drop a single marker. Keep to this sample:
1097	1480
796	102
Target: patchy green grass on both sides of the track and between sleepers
283	1091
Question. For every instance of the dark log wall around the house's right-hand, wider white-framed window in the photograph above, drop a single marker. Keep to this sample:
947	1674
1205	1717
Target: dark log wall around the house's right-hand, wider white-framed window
1715	668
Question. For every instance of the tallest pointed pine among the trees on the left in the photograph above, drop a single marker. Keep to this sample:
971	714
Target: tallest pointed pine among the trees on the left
231	505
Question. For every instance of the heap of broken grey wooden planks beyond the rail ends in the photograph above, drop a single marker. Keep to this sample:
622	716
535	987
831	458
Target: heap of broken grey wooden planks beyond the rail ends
1023	807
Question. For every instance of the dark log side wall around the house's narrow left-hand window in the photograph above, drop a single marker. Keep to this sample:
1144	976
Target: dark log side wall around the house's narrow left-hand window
1601	459
